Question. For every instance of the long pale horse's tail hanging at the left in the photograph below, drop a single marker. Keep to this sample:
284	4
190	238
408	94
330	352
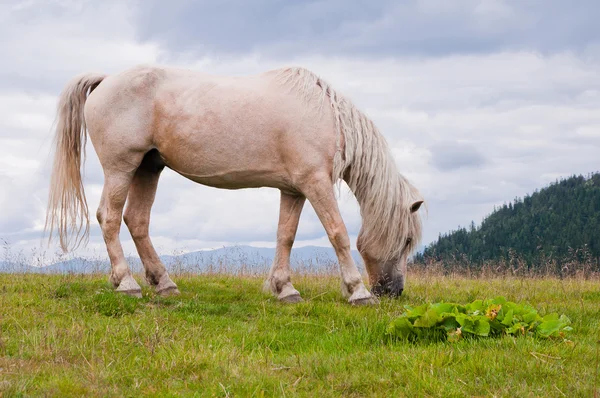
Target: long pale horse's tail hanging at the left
67	206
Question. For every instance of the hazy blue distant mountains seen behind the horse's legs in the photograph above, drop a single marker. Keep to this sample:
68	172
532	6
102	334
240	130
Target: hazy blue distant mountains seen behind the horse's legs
232	259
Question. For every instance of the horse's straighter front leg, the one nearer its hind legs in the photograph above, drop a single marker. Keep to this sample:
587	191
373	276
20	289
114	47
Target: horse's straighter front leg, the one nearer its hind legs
279	276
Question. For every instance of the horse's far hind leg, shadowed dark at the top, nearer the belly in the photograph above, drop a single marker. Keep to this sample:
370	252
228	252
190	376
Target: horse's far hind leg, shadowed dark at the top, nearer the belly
137	217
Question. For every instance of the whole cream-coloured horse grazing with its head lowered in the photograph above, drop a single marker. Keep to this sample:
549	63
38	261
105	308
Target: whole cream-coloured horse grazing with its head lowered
286	129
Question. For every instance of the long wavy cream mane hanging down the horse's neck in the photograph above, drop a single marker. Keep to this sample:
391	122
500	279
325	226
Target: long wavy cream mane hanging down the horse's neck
367	166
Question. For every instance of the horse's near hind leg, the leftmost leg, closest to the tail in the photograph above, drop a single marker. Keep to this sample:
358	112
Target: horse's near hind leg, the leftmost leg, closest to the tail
110	213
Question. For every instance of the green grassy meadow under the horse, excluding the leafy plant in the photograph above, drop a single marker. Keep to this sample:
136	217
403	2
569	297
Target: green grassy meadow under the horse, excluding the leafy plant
72	336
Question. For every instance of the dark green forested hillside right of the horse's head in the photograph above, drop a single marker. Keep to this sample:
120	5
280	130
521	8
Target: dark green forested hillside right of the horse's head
560	223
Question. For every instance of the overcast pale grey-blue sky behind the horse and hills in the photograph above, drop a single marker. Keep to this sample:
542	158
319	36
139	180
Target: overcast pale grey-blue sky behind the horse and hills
481	101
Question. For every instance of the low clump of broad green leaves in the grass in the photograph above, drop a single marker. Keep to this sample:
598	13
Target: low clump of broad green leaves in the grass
485	318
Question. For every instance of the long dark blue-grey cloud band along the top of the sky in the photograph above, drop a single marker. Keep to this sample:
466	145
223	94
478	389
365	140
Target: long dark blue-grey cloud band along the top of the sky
389	28
